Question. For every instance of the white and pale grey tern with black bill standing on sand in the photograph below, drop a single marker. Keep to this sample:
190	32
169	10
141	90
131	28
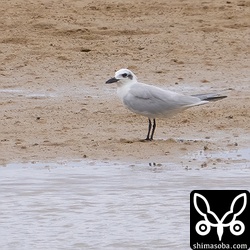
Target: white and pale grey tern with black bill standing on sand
154	102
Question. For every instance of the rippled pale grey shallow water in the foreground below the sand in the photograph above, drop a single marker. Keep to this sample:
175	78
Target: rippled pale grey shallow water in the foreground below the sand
83	205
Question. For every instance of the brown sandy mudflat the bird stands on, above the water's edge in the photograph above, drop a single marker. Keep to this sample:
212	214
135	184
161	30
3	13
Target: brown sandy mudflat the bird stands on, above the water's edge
57	54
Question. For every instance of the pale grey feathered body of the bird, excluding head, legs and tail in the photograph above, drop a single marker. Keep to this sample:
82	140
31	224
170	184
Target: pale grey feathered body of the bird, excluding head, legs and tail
155	102
